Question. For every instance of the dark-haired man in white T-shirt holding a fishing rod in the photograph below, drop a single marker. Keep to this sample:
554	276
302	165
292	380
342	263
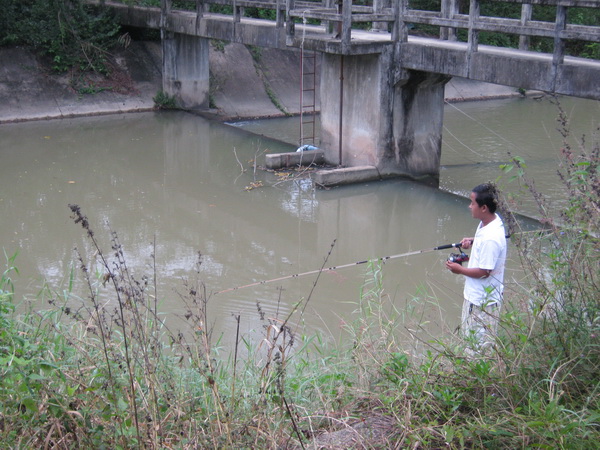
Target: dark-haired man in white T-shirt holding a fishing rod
484	274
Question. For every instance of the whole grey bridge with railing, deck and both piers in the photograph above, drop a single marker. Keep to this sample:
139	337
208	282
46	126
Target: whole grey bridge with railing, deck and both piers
359	42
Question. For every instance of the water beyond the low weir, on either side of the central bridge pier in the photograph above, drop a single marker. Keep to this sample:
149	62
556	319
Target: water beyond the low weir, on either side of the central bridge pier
479	136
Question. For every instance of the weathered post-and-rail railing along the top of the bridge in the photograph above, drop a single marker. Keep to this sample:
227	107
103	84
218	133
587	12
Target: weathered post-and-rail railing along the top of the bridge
397	16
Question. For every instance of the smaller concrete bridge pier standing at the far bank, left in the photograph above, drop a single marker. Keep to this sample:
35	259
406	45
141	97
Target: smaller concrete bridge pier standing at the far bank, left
186	69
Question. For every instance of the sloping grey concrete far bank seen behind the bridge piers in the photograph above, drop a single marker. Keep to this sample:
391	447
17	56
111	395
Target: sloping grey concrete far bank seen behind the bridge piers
244	84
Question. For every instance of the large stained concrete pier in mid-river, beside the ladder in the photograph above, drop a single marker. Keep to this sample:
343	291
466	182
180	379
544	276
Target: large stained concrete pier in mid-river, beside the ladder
372	117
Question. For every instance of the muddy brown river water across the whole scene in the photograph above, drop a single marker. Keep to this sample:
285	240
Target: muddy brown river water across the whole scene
173	184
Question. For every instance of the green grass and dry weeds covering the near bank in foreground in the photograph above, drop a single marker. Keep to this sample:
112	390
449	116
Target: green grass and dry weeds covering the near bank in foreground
105	370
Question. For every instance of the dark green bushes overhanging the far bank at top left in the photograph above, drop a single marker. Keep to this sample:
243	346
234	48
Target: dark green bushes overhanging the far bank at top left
71	37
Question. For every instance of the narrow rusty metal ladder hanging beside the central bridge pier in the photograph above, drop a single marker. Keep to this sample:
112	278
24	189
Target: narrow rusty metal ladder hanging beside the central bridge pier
308	81
